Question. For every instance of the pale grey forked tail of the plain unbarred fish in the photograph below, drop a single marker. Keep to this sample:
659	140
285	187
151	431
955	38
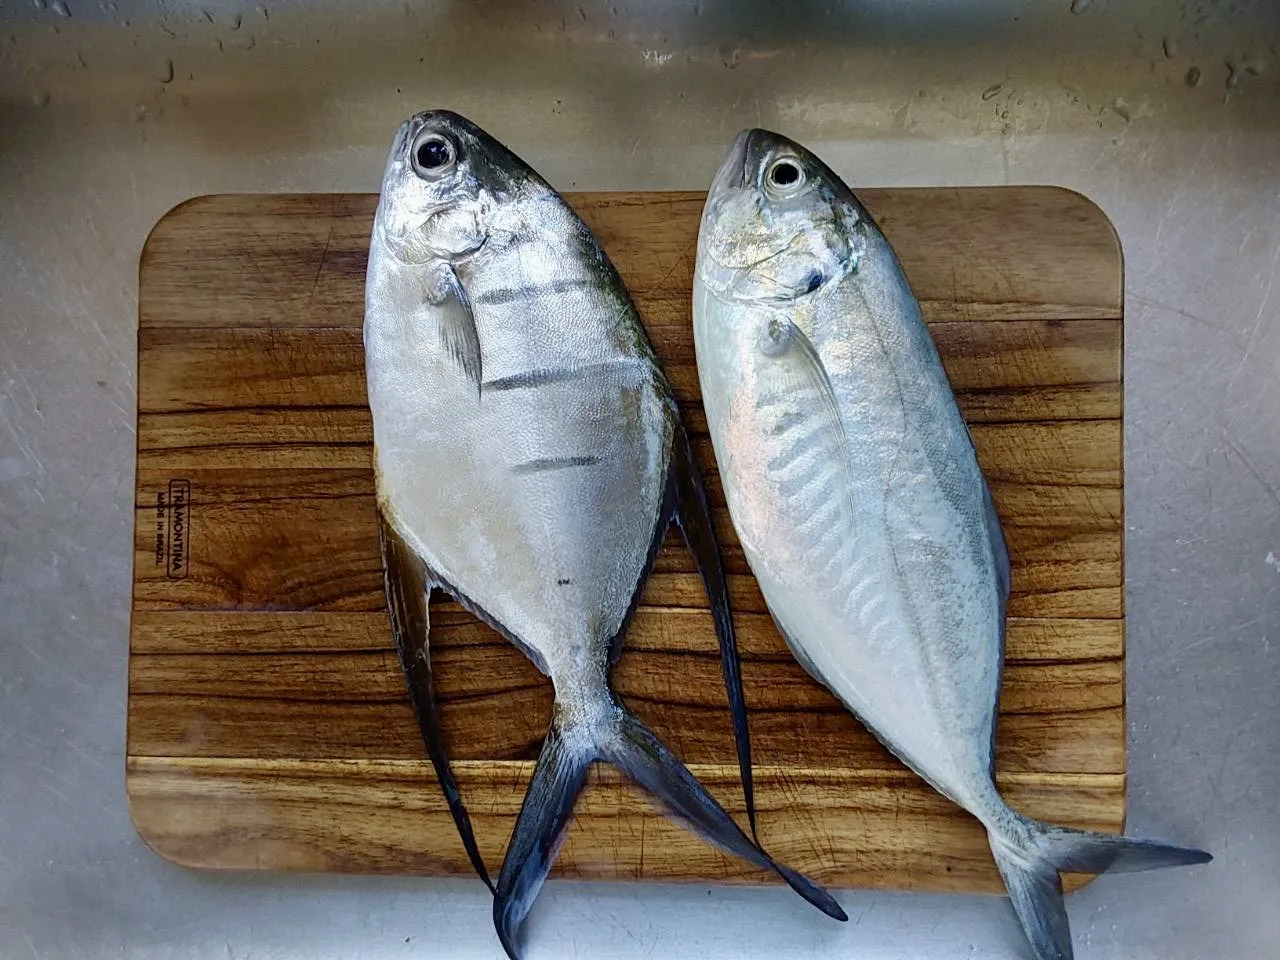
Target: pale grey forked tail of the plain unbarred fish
1030	856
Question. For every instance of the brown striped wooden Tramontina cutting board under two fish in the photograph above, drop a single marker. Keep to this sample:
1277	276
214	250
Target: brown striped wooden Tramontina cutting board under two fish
268	723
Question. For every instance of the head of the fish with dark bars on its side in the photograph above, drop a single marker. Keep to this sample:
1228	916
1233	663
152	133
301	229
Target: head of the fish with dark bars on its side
444	189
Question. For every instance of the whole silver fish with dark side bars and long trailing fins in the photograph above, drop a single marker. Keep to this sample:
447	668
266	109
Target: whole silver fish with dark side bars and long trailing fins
529	460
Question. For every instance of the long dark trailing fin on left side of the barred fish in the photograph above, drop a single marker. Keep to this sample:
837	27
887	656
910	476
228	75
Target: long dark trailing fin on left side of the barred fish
408	587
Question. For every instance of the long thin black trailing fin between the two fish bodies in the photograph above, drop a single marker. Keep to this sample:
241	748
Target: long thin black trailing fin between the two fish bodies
694	516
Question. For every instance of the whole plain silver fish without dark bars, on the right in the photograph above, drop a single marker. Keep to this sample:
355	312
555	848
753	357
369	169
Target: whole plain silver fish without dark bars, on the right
854	487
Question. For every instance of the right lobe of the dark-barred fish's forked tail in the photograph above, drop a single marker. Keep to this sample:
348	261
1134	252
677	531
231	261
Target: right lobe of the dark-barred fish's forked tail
653	766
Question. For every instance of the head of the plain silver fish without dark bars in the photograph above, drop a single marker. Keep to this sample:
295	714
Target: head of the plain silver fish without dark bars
779	225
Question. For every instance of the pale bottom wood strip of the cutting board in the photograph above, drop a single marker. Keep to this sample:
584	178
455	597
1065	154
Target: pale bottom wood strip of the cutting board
857	829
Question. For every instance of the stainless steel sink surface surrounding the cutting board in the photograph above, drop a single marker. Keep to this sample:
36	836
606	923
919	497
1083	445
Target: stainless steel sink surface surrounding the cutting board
117	112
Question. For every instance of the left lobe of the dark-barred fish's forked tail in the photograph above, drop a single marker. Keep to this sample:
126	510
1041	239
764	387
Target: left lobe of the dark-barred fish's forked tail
541	828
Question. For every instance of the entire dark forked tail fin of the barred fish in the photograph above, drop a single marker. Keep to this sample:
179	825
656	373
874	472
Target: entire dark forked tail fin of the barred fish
560	778
